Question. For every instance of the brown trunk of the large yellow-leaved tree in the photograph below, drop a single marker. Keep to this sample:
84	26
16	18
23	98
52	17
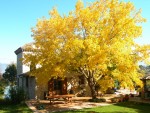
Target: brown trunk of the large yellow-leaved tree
91	83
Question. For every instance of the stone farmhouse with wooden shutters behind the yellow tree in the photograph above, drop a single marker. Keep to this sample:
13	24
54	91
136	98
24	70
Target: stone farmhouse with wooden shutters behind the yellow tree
71	84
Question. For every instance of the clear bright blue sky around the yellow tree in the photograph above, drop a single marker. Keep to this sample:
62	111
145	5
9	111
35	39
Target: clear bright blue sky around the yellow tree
18	16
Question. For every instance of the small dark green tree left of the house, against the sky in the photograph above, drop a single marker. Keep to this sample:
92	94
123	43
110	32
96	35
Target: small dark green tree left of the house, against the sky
10	73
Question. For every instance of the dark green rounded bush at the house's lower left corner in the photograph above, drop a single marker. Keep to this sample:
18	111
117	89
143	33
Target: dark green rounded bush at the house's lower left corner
16	95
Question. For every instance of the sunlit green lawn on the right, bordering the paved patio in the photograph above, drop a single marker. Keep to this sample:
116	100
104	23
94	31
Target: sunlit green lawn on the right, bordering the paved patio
126	107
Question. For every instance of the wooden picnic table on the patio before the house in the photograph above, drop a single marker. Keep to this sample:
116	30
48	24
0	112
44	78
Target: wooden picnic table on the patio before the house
66	97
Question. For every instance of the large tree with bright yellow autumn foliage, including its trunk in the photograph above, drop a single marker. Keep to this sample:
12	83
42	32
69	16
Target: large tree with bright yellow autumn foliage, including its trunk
96	40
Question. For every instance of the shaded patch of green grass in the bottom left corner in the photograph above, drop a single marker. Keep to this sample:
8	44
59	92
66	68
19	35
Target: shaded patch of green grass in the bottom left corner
6	107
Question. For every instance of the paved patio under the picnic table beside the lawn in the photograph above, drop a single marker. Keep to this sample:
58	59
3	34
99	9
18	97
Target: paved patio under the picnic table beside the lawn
41	106
